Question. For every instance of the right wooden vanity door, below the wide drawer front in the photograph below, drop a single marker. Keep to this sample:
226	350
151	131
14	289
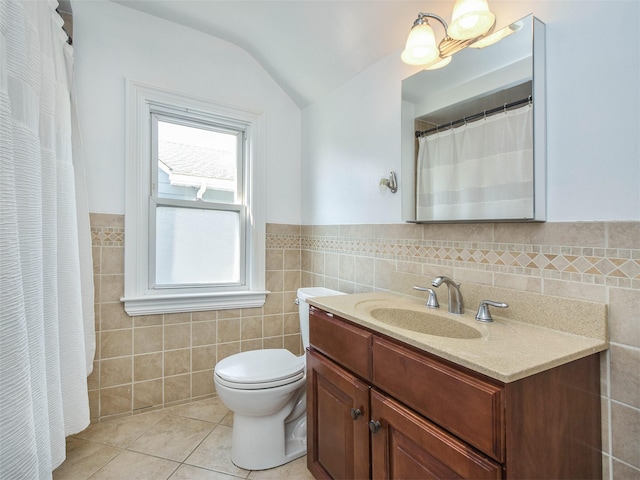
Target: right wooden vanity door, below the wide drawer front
405	445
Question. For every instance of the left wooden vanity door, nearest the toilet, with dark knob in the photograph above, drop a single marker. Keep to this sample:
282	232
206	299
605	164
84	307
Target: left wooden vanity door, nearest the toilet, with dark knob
337	421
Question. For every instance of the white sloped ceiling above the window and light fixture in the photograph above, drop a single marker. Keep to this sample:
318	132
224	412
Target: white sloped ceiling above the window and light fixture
310	47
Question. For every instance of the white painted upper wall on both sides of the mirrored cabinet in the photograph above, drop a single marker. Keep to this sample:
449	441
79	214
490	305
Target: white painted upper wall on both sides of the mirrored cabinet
351	138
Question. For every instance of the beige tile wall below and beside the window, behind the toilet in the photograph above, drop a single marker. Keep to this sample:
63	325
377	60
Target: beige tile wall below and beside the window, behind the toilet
148	362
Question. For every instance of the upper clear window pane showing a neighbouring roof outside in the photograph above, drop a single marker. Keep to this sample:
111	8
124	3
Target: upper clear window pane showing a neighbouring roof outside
196	163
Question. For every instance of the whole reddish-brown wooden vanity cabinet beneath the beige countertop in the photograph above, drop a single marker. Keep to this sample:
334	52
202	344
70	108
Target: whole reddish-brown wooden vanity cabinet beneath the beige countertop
378	408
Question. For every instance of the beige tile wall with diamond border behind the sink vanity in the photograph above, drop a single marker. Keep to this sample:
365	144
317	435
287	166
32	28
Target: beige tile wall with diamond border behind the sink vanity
595	261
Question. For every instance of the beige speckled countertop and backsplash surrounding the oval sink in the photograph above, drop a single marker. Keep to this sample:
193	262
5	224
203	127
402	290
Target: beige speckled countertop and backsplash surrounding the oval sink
506	349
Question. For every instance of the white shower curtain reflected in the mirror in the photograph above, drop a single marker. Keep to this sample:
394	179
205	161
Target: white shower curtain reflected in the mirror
480	170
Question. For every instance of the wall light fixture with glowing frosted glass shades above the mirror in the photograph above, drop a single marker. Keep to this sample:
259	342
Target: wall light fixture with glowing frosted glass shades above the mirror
471	21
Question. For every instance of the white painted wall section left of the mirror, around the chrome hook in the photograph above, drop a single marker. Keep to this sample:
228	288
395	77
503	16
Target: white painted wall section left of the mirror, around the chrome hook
351	140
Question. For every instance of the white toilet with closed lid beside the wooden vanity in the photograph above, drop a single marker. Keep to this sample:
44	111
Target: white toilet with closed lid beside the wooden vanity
266	391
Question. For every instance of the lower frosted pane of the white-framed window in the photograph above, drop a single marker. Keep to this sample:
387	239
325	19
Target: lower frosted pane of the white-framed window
197	246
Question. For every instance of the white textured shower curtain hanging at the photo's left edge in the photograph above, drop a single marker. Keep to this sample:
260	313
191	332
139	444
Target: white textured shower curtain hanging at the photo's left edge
43	357
